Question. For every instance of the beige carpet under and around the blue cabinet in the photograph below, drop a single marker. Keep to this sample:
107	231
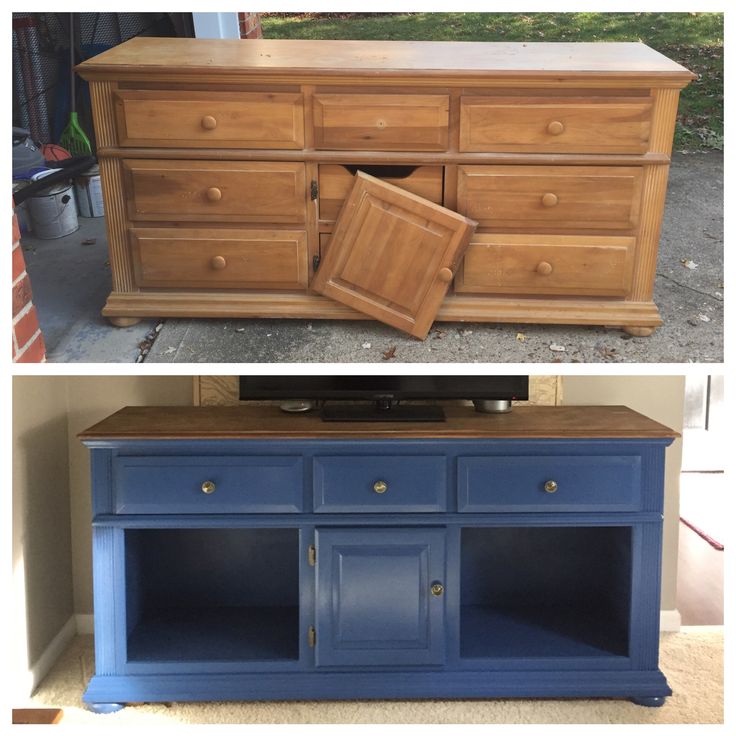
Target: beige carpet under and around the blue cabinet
692	660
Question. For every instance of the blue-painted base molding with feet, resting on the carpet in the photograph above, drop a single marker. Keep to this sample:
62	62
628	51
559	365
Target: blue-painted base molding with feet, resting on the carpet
638	686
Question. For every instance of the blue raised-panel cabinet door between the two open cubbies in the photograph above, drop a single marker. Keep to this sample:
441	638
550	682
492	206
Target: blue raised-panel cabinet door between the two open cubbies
378	600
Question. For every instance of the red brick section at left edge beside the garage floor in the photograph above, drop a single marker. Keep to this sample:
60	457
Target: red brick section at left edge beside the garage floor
28	345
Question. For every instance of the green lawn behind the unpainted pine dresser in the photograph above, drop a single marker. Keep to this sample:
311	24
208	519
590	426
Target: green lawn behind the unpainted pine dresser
694	40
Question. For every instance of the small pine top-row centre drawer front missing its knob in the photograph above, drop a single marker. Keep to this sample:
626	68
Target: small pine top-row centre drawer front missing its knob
381	122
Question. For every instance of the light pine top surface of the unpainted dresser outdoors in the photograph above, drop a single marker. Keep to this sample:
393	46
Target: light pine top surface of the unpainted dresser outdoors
177	56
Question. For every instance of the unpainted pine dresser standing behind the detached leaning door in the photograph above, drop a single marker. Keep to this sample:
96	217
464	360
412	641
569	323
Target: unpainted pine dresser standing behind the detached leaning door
225	165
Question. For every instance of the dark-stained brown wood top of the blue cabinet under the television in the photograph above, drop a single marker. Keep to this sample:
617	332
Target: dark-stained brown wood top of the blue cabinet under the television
269	422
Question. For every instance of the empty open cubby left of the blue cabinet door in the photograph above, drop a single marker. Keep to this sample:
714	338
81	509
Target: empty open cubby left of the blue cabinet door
212	594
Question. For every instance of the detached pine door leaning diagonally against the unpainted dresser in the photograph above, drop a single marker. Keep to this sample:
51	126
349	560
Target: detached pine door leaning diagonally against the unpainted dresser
393	255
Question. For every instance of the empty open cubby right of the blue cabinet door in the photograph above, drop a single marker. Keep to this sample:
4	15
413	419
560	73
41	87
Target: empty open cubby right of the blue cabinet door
545	592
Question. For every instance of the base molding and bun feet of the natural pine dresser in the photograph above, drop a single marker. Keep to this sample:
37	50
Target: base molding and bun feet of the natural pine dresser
637	318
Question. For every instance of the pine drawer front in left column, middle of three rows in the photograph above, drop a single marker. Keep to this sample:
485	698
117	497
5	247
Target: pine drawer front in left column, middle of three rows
216	190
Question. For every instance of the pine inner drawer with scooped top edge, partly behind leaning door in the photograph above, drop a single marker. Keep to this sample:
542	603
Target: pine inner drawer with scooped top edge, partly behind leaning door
335	183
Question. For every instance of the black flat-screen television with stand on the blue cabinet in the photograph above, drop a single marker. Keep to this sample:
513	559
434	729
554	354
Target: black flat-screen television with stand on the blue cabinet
382	398
